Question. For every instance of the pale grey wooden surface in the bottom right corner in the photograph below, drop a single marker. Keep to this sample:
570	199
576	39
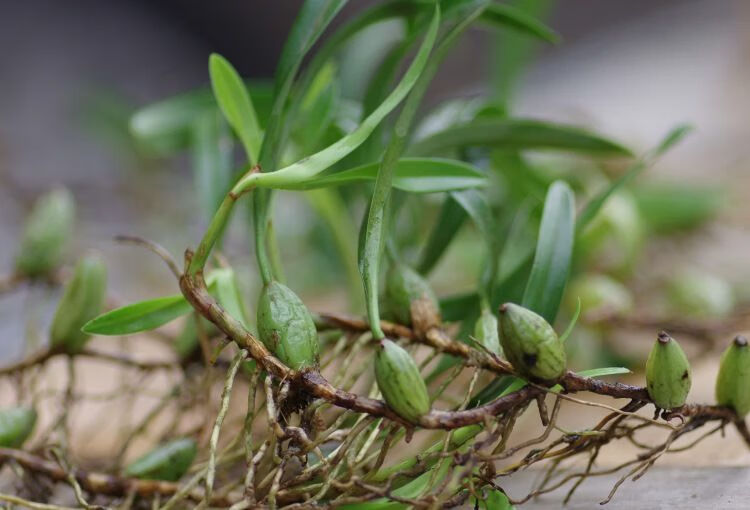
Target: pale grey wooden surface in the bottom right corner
725	488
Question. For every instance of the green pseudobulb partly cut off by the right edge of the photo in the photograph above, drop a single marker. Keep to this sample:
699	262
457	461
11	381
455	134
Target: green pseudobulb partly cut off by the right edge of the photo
733	382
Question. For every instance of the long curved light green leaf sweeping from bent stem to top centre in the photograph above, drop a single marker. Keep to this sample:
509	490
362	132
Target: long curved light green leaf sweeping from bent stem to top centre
313	165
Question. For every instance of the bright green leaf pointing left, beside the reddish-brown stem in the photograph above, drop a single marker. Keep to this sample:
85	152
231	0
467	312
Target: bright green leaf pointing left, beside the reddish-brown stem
137	317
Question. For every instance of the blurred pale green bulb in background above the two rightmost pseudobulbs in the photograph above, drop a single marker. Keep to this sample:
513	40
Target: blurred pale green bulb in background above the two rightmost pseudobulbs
699	294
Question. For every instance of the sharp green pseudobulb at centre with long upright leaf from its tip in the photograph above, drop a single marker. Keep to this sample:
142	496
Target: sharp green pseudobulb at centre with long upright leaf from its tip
400	383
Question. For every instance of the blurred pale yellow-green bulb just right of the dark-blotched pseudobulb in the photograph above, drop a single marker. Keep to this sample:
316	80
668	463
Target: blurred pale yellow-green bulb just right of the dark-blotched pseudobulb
600	295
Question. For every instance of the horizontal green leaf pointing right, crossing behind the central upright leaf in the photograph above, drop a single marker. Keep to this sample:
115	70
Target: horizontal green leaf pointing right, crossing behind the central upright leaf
415	175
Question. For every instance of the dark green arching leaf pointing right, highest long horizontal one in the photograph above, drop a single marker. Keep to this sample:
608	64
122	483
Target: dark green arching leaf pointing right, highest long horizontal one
518	134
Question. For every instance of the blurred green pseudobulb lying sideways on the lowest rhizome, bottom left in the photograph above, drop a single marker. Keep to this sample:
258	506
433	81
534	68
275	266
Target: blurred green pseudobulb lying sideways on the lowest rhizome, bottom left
167	462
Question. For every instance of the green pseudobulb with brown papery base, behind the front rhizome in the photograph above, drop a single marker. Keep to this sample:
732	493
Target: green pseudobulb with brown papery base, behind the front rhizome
411	298
